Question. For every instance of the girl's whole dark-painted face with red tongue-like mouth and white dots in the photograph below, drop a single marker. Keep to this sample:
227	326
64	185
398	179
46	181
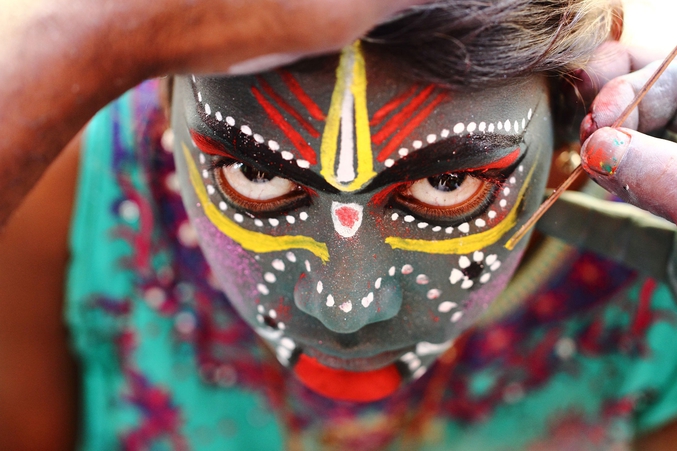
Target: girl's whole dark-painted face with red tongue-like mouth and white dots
356	220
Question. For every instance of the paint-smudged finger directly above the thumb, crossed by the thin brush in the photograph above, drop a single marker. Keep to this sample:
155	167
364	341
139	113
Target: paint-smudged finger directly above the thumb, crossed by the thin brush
655	111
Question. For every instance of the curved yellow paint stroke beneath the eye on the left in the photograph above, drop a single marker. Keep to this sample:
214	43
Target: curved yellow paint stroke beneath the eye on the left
248	239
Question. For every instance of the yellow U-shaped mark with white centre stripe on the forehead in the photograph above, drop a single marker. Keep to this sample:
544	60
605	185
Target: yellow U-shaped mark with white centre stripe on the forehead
346	136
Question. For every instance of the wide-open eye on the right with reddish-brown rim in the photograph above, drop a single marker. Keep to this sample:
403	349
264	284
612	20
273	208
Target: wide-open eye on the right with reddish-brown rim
448	198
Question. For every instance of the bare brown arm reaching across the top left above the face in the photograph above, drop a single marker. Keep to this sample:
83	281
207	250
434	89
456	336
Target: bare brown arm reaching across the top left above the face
62	60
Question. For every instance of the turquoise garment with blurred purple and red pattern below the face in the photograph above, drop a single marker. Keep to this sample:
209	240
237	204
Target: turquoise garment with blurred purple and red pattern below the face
585	363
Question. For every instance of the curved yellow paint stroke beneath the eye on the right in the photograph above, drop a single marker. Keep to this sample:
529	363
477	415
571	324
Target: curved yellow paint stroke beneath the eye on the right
465	244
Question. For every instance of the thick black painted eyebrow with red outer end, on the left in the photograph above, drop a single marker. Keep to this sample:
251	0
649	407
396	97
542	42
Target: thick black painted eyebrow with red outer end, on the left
246	149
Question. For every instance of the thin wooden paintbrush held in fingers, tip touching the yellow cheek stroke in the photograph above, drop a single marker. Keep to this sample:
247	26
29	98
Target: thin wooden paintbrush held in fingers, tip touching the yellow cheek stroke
512	242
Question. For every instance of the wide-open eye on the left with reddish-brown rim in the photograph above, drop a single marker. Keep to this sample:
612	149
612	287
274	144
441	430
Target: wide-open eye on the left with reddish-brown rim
256	191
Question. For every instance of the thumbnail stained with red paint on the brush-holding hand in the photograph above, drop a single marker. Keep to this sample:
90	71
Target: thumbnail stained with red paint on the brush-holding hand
604	151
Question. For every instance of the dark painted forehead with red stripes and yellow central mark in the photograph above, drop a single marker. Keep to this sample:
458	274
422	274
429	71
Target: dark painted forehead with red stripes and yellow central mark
349	117
